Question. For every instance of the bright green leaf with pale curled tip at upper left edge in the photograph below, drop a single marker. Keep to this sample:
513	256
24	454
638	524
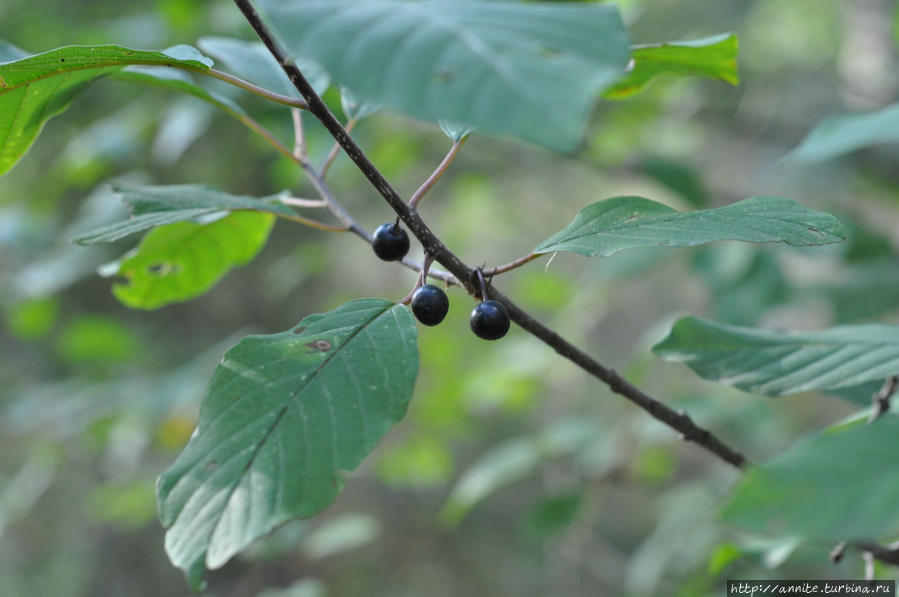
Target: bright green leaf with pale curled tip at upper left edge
38	87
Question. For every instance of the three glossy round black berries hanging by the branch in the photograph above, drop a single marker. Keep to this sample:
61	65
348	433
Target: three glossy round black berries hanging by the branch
489	319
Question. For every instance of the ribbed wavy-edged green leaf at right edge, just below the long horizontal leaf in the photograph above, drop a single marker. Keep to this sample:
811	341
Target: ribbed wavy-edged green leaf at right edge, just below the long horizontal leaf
778	363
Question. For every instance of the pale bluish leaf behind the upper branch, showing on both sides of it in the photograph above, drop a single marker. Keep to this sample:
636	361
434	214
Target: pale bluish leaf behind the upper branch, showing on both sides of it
253	62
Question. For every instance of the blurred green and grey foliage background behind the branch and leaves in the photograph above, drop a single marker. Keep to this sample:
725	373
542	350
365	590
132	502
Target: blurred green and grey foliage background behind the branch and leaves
514	473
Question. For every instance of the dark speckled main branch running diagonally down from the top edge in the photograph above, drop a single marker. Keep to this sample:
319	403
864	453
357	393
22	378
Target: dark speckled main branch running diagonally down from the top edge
678	420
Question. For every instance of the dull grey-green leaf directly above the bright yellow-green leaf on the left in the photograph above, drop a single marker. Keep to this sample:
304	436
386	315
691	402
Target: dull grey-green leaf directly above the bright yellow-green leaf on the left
153	206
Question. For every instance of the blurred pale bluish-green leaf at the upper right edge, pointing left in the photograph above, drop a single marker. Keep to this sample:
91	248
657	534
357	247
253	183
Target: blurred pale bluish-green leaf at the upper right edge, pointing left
839	135
